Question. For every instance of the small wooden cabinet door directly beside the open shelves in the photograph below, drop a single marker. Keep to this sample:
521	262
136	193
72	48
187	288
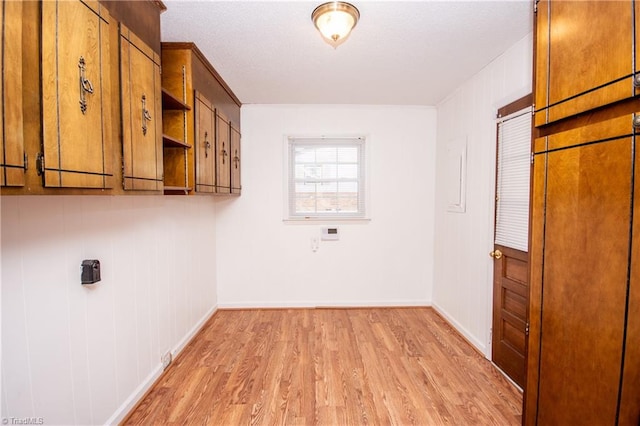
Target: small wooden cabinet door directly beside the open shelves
205	151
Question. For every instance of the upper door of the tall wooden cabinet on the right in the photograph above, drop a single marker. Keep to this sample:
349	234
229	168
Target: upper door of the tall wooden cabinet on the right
569	35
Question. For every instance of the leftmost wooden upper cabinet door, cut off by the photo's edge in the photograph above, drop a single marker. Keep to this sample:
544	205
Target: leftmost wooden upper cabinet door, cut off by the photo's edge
12	154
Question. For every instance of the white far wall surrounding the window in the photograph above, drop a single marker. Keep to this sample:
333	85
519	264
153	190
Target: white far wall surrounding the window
263	261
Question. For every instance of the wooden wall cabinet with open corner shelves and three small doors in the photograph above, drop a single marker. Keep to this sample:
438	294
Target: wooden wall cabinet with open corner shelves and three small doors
204	163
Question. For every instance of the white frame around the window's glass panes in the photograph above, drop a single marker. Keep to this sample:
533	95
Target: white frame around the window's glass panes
289	179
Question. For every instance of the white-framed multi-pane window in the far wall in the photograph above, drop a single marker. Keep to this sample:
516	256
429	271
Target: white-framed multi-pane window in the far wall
326	178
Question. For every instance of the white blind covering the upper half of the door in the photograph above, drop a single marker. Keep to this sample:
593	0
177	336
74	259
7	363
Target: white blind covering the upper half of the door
512	188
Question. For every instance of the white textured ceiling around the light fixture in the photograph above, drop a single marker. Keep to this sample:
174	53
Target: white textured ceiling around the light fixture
400	53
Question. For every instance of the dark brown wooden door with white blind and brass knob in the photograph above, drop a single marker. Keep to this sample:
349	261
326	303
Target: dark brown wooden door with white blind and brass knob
511	264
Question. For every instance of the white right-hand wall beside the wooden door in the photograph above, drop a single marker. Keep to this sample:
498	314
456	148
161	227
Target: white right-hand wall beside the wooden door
463	276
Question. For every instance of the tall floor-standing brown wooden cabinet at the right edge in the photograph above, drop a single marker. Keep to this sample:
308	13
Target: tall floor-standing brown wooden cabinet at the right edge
583	360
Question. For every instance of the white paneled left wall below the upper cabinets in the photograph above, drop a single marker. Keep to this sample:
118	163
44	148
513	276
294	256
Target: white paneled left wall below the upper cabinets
75	354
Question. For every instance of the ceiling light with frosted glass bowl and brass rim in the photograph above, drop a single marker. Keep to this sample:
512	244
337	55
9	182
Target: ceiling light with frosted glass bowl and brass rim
335	20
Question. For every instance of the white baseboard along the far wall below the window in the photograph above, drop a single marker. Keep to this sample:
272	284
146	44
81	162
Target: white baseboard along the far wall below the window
323	304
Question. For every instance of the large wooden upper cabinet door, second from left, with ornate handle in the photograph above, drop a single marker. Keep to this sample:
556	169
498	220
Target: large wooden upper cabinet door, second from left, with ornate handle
76	89
